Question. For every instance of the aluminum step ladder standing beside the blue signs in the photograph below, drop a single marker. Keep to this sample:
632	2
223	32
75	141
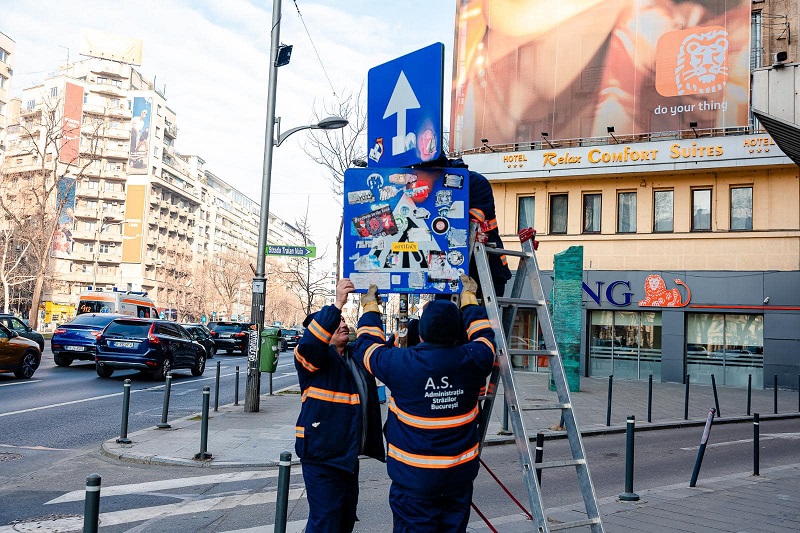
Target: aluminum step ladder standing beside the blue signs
528	273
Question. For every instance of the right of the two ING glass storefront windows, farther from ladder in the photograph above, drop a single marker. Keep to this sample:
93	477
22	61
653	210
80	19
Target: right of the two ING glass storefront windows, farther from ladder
726	345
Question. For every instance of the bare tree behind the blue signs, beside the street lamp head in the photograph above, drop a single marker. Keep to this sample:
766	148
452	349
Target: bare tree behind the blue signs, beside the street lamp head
336	150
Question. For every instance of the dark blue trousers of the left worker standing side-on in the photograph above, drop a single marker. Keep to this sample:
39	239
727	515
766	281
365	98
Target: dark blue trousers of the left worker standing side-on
332	498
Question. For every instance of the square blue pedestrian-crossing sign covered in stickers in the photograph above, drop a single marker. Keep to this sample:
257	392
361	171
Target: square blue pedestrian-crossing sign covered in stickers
406	230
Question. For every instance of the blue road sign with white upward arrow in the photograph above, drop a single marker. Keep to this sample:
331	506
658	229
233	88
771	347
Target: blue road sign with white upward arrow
404	109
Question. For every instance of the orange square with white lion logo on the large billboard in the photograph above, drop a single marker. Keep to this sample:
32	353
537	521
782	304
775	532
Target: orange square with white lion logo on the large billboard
693	61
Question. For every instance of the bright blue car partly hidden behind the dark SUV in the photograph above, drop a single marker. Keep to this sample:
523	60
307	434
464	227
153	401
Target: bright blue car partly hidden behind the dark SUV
77	339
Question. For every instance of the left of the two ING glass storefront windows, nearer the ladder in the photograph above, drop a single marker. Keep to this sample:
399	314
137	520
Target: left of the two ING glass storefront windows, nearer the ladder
626	344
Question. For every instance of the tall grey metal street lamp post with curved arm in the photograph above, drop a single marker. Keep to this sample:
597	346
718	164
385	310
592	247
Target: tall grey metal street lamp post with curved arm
253	383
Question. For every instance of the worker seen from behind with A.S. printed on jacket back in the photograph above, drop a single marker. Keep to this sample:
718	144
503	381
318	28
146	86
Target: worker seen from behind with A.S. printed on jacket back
432	424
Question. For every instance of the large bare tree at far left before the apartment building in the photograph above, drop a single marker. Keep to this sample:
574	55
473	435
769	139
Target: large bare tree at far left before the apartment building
46	160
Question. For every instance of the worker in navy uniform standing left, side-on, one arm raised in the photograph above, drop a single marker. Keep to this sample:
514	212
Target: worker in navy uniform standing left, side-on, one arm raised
339	419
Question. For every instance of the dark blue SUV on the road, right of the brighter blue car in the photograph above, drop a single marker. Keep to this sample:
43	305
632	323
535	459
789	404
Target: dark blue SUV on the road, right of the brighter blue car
154	346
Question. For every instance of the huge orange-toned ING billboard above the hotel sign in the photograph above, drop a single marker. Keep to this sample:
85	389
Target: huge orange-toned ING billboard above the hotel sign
639	67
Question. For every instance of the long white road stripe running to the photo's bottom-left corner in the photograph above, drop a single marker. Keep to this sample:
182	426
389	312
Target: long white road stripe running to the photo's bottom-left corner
146	514
